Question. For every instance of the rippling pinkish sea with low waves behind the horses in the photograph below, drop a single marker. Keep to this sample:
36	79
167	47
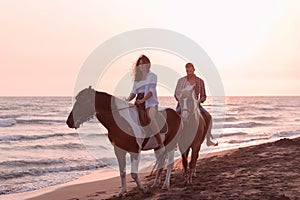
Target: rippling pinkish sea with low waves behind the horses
37	149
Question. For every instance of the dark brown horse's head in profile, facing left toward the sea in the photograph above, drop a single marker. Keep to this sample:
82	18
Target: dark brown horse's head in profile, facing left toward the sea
83	109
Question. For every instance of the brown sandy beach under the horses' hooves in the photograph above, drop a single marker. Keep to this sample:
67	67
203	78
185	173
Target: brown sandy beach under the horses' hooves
266	171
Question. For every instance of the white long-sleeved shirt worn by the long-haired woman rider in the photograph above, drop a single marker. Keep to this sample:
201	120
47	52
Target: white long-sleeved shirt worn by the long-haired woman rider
146	86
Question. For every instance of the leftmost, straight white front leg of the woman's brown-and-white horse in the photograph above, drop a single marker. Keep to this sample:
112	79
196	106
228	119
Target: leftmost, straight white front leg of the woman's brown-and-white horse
121	156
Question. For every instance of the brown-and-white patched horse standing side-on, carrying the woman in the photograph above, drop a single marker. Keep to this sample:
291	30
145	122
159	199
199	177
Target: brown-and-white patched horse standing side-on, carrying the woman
113	113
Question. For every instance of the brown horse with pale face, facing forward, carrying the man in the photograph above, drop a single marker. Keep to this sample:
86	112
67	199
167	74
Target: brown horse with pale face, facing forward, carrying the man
194	131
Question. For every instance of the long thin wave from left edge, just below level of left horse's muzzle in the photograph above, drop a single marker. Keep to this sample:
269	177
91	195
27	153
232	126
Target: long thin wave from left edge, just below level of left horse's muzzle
35	137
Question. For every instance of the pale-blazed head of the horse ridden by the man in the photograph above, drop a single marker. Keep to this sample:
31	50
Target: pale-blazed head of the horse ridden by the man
188	104
